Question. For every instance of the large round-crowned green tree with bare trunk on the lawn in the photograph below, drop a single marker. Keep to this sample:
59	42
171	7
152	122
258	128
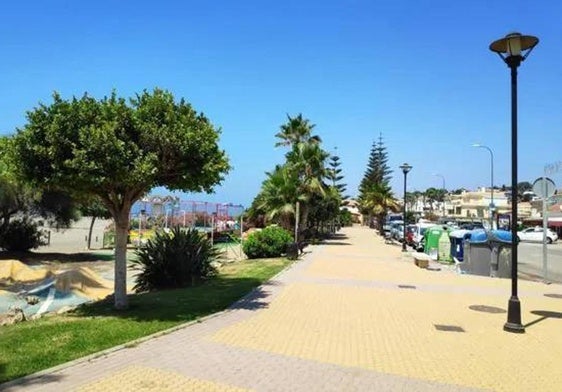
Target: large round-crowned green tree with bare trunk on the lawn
118	150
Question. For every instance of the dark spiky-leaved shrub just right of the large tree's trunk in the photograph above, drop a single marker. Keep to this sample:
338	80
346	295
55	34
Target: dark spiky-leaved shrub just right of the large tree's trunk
173	260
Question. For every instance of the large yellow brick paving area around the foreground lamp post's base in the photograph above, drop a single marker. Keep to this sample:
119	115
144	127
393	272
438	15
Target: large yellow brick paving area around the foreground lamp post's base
392	330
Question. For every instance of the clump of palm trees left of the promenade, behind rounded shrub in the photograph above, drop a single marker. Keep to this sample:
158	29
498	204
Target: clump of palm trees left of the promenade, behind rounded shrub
299	183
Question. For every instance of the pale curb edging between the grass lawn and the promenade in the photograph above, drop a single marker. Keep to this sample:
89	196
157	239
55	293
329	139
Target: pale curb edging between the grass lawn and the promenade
104	353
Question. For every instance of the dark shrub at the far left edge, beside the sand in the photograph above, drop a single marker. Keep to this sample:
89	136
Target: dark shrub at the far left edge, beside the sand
21	235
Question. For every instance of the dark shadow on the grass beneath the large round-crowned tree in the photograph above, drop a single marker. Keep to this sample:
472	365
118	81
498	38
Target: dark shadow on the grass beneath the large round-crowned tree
184	304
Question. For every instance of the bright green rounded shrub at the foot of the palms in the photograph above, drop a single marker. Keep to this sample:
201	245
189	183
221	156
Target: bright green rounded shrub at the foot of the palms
269	242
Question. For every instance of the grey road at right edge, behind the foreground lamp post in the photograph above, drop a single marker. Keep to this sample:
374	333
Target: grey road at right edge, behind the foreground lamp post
531	264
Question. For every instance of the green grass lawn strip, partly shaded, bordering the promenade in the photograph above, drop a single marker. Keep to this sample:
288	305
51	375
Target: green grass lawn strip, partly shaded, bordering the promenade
31	346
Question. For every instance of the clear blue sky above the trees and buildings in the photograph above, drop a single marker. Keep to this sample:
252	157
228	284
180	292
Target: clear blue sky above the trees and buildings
420	72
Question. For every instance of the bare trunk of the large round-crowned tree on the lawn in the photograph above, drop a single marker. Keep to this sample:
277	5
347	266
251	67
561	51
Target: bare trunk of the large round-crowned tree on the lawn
121	234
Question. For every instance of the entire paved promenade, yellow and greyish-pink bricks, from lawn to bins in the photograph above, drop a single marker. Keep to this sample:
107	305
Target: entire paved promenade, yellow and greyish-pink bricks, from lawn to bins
353	315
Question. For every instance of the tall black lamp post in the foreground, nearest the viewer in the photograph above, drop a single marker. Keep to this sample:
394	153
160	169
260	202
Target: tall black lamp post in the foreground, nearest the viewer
513	49
